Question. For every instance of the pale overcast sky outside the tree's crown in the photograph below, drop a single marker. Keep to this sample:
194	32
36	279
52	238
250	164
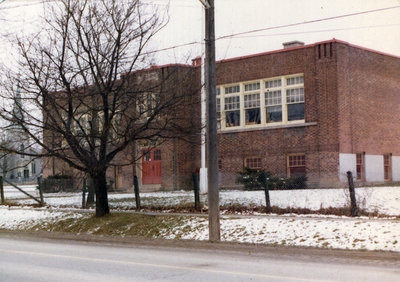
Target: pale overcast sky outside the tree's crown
375	30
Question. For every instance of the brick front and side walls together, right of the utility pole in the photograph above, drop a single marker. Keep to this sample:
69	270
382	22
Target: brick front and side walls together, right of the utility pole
352	95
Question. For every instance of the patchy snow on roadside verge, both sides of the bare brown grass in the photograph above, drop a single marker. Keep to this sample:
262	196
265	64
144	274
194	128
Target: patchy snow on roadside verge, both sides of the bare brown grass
340	233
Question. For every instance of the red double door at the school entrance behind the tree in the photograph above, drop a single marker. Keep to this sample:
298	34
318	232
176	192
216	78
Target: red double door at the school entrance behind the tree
151	166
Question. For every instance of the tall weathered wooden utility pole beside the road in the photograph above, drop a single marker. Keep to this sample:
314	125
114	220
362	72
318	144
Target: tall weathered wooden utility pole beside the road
212	146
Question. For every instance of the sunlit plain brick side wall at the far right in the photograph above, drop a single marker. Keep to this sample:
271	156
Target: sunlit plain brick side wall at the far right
369	95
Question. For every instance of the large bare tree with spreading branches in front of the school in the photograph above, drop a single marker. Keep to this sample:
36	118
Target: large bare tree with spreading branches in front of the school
88	98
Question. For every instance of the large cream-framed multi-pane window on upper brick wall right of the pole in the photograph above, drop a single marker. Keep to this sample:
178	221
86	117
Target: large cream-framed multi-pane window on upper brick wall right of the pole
265	102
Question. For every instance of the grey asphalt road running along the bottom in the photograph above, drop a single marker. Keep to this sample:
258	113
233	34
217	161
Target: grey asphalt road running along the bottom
40	259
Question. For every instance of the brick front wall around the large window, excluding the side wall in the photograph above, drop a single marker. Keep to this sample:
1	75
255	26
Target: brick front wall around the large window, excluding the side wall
319	140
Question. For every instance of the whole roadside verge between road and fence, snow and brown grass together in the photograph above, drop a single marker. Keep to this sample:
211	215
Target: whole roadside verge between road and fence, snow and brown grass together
323	232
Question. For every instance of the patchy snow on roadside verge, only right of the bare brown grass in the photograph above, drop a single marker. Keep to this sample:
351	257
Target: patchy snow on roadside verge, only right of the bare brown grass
349	233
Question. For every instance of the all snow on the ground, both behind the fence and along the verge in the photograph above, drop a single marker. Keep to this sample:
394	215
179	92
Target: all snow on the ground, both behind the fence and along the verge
314	231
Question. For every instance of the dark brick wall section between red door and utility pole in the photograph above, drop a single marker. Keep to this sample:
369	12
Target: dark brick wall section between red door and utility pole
181	156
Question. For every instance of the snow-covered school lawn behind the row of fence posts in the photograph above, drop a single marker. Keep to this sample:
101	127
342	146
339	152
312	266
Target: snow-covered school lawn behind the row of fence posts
384	200
